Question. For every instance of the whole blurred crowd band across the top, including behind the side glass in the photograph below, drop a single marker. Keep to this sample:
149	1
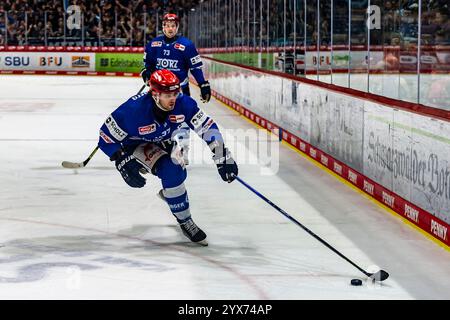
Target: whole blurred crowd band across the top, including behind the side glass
134	22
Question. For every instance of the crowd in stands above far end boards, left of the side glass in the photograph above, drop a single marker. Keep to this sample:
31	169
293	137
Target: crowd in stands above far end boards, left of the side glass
115	22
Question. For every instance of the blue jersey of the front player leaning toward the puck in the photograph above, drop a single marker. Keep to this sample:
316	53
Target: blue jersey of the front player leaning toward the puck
134	123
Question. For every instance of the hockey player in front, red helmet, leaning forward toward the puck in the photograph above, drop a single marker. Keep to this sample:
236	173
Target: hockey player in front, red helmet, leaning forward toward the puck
138	137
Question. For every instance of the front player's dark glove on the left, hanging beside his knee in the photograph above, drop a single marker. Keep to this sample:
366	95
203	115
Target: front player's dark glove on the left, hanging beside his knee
129	168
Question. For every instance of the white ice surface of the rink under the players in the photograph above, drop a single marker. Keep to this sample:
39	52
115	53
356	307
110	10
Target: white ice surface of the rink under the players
84	234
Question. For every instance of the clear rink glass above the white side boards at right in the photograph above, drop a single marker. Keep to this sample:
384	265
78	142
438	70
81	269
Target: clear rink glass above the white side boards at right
370	45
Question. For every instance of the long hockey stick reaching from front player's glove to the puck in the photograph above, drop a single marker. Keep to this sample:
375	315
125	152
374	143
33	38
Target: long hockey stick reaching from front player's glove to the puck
380	275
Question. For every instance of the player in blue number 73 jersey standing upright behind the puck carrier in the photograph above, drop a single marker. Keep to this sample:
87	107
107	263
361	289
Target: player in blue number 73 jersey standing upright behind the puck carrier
179	55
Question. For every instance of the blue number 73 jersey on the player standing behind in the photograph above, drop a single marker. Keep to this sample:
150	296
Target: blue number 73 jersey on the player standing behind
178	56
